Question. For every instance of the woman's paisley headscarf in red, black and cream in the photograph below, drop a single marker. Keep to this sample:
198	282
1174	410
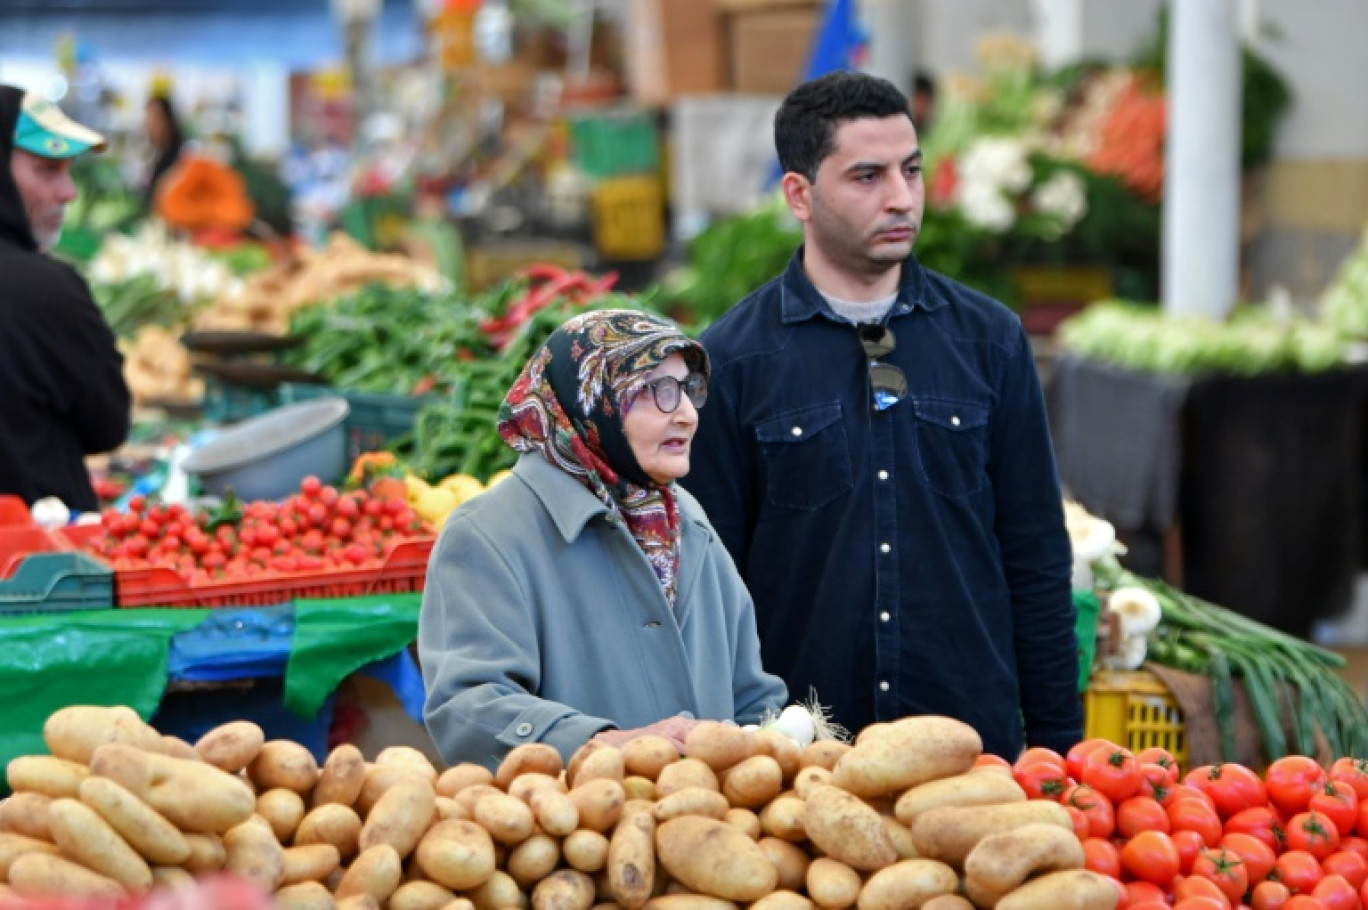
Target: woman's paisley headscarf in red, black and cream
568	406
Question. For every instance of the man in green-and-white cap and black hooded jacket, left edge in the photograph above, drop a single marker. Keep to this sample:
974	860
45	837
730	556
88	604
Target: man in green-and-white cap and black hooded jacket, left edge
62	391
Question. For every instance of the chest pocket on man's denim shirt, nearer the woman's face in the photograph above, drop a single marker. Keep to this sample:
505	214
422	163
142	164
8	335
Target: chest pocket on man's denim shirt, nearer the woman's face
808	458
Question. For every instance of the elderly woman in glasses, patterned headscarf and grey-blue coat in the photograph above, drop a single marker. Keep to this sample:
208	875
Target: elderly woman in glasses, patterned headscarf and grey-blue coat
588	596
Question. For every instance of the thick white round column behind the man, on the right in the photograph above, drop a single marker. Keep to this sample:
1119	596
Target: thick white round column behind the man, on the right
1202	168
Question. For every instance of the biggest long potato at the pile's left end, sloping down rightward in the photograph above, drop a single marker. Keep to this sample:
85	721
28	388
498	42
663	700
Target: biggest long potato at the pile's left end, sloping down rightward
194	796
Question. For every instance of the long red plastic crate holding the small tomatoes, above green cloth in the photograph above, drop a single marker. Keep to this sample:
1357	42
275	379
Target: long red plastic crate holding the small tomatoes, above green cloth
404	571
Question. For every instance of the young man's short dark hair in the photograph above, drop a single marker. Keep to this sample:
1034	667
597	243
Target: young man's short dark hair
806	124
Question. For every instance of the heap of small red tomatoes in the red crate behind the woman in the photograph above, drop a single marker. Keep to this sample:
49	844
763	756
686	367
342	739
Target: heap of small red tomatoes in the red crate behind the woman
317	530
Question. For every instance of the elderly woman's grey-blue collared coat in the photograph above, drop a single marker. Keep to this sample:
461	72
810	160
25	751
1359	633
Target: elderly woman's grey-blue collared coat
544	622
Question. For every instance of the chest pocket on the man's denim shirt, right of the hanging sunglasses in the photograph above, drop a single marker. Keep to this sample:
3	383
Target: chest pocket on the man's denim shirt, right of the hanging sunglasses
953	445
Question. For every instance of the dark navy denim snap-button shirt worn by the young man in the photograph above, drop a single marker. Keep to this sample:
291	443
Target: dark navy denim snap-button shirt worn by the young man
908	562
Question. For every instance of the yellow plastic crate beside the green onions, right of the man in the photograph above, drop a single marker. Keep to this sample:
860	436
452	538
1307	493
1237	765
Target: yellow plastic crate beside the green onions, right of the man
1135	710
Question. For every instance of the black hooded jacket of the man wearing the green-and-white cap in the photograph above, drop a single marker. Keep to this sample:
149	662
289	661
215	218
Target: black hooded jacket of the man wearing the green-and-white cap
62	389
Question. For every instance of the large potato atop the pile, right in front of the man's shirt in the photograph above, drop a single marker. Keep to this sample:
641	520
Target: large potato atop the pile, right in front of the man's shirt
912	752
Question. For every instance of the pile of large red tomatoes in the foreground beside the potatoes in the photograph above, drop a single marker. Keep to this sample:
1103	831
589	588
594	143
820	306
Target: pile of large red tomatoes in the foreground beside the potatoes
1220	838
